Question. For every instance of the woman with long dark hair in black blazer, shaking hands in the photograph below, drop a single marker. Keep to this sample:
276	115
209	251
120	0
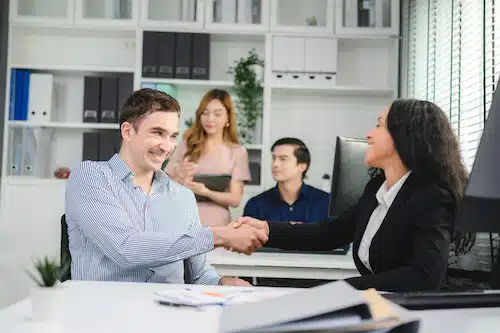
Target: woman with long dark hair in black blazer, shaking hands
402	226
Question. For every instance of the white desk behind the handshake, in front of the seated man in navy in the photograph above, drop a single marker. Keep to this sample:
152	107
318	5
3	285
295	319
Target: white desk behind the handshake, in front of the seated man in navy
283	265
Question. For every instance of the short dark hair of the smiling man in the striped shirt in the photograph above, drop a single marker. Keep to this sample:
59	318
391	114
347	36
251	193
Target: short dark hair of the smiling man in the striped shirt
146	101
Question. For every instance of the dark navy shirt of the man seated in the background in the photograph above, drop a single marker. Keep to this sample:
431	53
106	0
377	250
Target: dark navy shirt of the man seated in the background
310	206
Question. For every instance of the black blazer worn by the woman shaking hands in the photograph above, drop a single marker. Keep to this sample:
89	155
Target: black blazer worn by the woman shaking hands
408	253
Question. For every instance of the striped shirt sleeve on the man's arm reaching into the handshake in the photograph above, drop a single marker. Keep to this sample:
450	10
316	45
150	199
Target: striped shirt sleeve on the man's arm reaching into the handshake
92	206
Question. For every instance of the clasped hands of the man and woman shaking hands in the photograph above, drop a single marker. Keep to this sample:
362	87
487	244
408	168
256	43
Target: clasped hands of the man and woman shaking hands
243	235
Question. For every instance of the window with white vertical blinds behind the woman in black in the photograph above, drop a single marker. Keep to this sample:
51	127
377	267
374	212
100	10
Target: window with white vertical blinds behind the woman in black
453	59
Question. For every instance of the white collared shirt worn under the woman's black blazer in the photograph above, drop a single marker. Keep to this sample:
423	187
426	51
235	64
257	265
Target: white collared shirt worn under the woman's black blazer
385	196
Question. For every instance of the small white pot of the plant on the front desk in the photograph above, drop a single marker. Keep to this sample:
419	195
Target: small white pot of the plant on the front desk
47	303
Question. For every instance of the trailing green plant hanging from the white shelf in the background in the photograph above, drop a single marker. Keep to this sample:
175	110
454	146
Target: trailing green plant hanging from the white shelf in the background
248	76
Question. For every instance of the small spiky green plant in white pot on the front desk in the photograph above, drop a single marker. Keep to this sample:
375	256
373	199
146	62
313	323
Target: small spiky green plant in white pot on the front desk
46	296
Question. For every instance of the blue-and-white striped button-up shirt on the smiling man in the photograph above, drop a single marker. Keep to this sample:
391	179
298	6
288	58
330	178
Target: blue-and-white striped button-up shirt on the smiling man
119	233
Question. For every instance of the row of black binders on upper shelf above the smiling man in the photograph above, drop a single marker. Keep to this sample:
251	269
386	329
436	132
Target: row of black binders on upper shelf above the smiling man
179	55
